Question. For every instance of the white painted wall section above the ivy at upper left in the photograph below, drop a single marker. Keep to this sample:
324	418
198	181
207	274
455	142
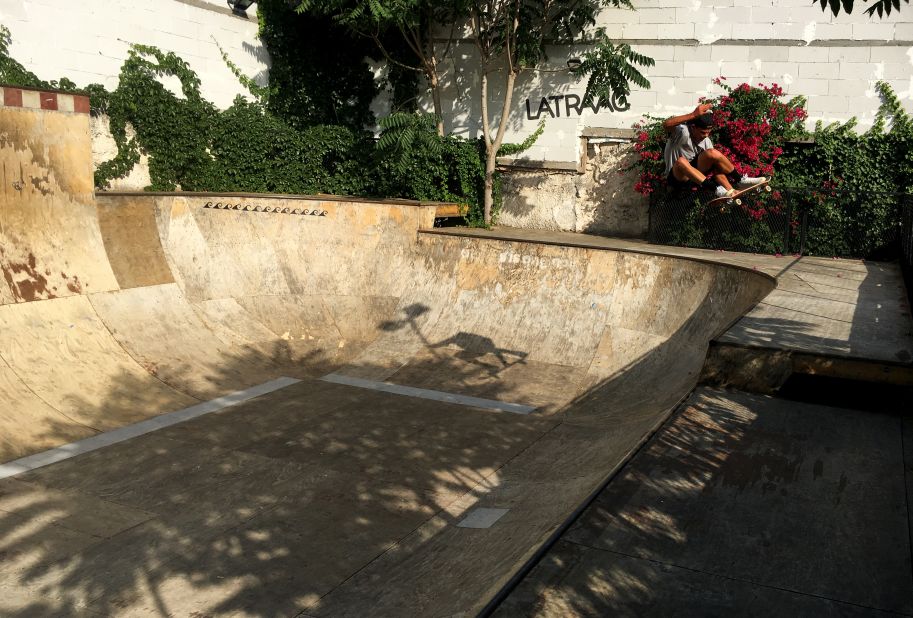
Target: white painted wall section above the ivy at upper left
87	40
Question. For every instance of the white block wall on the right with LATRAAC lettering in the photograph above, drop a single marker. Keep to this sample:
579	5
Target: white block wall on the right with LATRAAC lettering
833	61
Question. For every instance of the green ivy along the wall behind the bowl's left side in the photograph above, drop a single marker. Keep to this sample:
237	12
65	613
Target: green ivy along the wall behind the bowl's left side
247	148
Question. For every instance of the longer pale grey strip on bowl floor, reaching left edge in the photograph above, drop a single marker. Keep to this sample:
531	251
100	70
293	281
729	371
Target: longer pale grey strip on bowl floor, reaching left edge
108	438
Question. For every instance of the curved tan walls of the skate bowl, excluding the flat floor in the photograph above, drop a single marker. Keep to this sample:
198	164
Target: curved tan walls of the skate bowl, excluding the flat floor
120	307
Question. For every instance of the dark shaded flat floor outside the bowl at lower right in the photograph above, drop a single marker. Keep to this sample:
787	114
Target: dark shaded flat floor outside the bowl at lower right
743	505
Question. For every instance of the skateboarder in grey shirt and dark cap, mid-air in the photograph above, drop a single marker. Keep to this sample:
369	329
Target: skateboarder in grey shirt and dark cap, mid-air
691	158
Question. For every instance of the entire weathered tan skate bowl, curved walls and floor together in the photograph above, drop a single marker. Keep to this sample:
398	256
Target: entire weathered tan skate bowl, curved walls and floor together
125	307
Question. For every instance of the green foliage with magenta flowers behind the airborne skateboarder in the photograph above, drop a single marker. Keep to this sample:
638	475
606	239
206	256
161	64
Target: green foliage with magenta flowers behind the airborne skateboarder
847	185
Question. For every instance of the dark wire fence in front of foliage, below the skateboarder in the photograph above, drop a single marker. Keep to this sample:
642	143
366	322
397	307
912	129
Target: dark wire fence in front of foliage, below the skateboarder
786	221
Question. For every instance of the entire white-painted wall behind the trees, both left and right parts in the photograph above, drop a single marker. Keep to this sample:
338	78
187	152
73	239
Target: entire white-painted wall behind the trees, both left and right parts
90	40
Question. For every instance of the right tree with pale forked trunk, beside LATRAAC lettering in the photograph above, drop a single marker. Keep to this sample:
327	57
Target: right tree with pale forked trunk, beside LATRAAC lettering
515	32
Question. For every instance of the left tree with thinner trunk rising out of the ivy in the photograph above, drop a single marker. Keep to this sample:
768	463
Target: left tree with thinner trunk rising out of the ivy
406	24
